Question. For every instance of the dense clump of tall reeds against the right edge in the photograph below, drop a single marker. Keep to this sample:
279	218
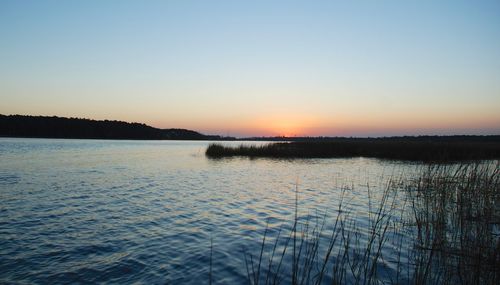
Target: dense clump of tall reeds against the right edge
456	214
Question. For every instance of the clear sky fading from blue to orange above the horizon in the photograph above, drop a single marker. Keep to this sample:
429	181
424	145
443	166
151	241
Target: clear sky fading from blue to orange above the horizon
257	68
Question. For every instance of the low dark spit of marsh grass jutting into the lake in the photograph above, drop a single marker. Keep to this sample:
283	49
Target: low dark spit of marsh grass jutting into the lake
427	149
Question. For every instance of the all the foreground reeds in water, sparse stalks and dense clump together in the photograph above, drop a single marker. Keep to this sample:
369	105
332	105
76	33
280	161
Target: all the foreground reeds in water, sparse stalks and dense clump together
446	231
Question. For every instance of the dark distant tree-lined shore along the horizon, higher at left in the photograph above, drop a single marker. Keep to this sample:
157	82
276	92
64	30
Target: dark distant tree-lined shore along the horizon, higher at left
53	127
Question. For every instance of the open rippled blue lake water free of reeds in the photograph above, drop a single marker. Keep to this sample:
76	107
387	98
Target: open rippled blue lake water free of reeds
80	211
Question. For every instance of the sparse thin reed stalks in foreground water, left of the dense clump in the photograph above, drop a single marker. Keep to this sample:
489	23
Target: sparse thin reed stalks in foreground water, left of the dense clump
316	255
